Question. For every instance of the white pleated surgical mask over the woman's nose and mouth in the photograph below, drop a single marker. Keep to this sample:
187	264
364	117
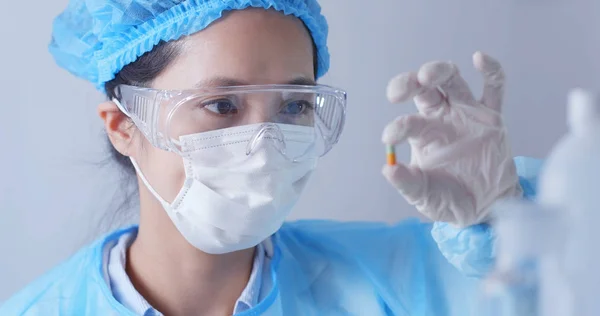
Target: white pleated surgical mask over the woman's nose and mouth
232	200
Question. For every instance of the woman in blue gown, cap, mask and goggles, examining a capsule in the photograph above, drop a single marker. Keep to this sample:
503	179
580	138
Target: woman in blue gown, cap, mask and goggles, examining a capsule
214	106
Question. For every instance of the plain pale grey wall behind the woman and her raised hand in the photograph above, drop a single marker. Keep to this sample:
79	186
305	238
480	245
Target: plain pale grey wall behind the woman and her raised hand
53	192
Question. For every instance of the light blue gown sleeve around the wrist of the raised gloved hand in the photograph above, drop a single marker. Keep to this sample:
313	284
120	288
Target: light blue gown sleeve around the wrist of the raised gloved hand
472	250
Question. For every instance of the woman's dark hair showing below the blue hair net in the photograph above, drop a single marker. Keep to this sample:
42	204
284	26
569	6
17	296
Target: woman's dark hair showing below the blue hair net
142	73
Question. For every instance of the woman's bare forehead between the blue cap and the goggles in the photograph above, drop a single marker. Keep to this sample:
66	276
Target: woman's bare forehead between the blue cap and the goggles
254	46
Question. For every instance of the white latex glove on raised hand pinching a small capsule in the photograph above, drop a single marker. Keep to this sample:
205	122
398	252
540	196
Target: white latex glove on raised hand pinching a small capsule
461	162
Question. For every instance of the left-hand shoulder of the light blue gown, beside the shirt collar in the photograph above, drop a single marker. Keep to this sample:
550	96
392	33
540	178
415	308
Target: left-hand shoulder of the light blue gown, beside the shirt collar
68	288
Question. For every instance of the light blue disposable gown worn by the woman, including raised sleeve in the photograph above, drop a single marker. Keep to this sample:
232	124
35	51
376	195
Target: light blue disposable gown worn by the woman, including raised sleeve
318	268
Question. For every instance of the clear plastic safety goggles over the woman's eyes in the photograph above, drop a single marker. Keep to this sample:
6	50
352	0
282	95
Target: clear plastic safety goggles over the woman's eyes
165	116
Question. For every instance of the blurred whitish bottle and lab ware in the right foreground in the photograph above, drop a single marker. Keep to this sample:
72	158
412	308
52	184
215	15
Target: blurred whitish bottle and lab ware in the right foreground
547	250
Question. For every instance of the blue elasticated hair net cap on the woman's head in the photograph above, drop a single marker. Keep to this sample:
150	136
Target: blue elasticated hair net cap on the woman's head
95	39
